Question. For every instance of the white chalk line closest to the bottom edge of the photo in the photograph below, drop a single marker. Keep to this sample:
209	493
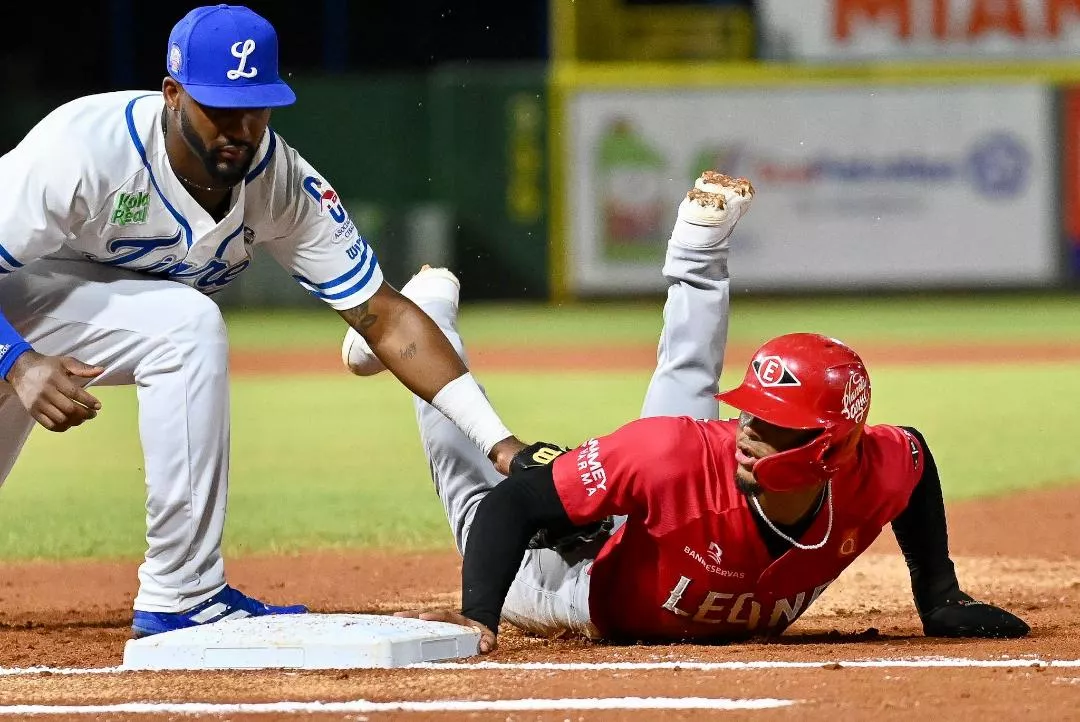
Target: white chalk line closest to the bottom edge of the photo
362	706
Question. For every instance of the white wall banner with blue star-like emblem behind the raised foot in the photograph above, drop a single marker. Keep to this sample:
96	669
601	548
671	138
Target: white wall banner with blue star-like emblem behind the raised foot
898	187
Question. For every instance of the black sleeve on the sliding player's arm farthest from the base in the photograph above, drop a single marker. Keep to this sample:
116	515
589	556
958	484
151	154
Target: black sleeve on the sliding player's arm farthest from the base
923	537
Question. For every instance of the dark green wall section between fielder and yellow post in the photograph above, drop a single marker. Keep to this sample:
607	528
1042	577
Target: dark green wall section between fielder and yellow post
447	168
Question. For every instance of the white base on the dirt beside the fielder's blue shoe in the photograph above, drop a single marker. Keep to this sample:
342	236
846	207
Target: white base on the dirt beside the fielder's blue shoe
304	642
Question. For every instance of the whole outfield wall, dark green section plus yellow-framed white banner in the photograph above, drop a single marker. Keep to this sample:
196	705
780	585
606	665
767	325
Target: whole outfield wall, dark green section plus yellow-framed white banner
561	182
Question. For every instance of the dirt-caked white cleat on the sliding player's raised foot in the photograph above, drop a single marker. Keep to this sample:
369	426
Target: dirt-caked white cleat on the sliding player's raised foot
717	202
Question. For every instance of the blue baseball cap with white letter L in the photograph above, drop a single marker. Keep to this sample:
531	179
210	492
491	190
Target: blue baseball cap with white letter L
226	57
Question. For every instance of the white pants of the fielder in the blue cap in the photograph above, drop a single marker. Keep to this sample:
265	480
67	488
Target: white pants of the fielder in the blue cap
170	342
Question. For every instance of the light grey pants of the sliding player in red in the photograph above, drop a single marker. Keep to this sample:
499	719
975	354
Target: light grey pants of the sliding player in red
551	592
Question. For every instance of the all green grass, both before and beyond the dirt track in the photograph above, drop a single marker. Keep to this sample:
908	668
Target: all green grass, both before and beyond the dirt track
335	461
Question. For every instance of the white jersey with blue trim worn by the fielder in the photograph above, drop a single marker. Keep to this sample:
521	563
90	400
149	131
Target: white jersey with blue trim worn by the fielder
92	181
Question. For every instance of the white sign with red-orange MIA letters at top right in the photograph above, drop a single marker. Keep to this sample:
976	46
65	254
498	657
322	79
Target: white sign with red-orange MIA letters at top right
907	30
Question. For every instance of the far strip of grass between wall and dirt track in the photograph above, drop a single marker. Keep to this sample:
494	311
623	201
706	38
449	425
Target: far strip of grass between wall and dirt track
1022	317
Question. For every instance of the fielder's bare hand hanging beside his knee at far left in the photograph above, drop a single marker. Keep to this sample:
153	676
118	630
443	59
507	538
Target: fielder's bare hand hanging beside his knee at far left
51	391
